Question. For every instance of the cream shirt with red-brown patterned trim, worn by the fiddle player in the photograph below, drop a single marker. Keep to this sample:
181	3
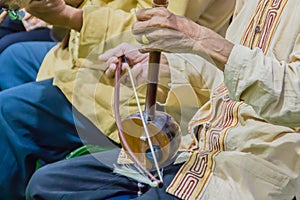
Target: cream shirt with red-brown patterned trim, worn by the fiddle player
240	155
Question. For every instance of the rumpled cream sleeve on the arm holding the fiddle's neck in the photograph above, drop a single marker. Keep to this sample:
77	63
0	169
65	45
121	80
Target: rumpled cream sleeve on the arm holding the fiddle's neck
270	86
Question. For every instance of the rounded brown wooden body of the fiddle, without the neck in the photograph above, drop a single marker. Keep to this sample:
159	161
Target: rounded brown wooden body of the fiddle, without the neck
164	133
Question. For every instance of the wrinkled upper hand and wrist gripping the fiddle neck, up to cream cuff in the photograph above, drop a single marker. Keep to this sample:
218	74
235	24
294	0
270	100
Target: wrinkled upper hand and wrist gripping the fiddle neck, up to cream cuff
157	29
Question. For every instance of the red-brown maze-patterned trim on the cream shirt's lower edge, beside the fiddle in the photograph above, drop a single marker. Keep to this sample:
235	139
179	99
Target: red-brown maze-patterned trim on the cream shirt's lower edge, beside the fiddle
195	174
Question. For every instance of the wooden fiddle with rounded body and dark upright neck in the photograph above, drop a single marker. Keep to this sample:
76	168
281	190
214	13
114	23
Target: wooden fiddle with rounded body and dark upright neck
150	138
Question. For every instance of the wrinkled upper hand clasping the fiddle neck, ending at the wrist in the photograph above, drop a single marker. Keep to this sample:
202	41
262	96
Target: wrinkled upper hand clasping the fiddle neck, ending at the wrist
159	29
